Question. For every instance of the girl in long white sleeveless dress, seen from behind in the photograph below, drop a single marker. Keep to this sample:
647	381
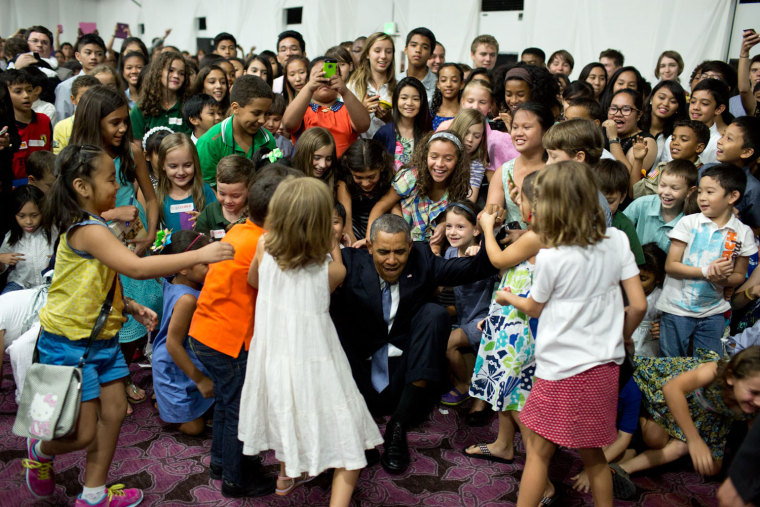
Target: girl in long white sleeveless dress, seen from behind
299	397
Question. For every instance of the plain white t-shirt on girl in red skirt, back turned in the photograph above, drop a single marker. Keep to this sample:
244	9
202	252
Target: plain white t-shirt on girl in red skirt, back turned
581	325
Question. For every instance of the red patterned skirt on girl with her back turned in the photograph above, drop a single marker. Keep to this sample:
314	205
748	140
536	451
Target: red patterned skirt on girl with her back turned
577	412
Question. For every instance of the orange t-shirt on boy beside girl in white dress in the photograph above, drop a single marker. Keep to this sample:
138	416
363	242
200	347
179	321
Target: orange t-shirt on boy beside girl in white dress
223	318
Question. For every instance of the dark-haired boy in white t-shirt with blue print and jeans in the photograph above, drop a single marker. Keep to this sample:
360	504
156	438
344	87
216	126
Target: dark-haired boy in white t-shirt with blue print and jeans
709	252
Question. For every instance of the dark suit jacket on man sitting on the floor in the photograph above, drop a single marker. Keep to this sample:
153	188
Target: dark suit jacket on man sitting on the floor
358	311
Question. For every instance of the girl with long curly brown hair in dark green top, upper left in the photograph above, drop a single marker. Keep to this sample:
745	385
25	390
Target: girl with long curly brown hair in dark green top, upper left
161	96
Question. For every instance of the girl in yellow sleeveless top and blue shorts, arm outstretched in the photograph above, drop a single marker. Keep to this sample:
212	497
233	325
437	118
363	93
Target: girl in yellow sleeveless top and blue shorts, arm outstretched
87	261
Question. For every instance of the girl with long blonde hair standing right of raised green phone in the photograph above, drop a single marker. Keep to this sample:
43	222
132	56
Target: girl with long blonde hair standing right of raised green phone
374	80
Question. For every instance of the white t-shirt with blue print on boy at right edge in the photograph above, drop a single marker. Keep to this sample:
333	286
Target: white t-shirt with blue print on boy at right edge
705	242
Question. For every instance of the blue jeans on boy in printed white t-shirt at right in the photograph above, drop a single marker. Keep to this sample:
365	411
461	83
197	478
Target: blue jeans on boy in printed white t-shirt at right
676	331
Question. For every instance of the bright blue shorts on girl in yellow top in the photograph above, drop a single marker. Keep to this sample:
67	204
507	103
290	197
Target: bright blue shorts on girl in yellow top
105	362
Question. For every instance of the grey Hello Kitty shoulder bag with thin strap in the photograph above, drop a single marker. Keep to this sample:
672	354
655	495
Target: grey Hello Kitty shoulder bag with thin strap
52	394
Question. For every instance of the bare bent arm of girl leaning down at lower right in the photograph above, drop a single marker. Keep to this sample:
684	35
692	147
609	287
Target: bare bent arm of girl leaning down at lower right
675	392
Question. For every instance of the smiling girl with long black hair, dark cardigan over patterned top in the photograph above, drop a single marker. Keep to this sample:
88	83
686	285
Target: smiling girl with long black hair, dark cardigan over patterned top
411	120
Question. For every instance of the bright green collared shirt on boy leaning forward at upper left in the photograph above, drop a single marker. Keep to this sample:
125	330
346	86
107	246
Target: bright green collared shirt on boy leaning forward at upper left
218	142
